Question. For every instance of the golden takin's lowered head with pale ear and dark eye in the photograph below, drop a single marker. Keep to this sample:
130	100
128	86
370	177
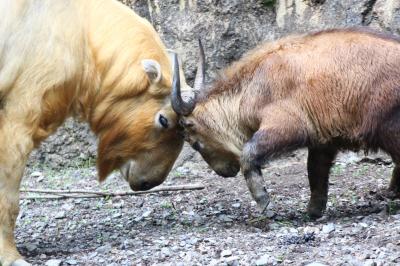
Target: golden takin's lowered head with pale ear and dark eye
138	133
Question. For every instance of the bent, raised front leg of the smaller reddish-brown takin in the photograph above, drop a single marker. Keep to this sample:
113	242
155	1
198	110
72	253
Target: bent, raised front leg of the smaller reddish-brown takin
280	133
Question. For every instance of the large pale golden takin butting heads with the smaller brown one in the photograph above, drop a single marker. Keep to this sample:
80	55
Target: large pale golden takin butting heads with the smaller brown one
92	59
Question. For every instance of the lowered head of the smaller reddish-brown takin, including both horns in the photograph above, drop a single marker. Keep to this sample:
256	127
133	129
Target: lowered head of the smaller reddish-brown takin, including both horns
198	125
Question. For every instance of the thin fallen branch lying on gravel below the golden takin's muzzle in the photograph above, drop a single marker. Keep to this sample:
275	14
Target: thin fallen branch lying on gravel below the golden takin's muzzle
63	194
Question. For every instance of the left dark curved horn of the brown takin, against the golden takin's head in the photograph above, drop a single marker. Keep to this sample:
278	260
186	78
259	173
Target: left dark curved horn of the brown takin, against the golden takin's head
178	104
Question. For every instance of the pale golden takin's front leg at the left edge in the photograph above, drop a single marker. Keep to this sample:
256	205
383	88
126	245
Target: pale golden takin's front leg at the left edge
15	147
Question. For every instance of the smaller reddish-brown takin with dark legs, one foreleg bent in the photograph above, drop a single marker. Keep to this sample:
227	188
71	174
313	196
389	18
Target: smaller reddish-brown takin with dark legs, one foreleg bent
328	91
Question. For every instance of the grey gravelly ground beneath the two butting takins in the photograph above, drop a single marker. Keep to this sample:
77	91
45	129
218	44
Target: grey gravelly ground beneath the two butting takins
219	225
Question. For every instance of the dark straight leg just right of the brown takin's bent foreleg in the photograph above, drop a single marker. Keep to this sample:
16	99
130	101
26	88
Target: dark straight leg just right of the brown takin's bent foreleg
319	162
